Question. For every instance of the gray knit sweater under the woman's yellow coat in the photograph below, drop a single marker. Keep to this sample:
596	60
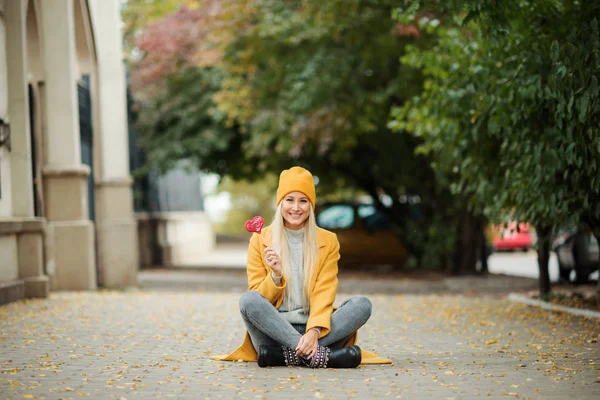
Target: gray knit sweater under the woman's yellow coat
293	310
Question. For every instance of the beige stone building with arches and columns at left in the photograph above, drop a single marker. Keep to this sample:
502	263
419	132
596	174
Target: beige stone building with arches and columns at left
66	212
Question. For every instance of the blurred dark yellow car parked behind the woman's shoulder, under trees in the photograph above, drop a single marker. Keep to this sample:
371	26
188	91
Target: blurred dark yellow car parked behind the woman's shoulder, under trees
364	234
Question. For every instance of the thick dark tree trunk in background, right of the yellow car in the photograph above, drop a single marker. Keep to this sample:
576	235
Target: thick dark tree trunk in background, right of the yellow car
469	237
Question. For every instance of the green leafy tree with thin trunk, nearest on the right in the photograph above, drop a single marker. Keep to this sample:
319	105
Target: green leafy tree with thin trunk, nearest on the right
510	111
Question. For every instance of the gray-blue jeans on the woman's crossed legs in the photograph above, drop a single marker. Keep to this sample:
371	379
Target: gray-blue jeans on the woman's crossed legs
266	326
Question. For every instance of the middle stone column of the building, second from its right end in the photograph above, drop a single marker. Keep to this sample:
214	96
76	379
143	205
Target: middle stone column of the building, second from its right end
66	202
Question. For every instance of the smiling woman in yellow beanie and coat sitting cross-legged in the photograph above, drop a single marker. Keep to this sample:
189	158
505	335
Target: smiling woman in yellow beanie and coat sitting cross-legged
292	281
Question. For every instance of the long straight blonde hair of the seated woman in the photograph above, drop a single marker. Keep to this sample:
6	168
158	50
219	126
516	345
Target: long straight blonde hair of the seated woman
310	250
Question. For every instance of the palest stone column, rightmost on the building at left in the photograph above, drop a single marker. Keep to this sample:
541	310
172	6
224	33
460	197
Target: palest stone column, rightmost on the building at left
116	226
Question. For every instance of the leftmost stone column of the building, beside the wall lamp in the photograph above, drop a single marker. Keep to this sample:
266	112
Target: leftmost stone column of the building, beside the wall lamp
27	231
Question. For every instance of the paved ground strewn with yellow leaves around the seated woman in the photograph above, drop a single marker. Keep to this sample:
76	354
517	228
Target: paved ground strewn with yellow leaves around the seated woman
142	344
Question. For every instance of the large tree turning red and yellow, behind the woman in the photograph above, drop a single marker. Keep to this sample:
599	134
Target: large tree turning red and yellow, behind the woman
305	83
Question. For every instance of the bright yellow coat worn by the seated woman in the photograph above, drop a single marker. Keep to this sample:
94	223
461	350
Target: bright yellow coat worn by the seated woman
323	288
